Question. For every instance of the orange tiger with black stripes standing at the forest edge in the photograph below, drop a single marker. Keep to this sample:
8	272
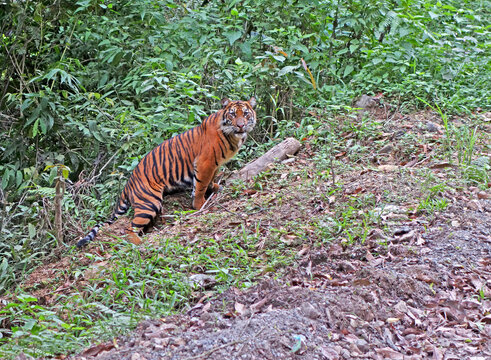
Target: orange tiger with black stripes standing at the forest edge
190	159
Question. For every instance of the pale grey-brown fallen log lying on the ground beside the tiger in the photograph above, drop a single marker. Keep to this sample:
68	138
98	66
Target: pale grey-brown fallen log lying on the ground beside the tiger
287	147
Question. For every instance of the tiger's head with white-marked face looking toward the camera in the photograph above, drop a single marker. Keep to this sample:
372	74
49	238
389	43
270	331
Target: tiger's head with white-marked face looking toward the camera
239	117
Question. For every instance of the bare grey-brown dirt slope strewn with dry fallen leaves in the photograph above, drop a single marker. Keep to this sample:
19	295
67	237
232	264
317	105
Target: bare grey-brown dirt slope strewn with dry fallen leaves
416	286
